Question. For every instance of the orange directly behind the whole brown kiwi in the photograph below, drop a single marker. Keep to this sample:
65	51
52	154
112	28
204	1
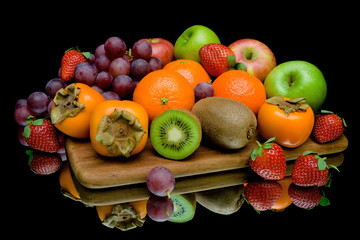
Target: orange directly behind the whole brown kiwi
241	86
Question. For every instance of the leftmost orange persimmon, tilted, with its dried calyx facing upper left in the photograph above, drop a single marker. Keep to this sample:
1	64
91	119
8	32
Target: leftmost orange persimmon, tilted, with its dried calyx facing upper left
72	108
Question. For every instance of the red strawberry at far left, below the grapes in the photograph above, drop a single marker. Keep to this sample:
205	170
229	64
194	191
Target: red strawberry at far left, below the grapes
41	134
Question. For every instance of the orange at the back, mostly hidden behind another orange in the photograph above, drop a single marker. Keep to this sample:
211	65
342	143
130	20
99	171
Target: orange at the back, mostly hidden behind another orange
193	71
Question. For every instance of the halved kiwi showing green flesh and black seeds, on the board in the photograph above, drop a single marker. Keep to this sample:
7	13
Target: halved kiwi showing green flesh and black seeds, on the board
175	134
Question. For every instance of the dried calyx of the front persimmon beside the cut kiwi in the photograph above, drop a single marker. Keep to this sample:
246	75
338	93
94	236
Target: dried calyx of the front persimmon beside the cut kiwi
120	131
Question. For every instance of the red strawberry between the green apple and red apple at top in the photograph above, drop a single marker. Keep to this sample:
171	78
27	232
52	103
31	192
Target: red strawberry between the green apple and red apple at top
217	59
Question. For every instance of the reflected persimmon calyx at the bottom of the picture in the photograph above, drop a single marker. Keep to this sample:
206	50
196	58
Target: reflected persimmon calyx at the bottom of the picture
123	217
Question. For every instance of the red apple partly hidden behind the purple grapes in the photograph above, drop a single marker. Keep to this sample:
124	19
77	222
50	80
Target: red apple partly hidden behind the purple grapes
162	49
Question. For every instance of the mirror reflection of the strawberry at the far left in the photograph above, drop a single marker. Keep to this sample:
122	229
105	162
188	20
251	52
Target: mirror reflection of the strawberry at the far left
43	163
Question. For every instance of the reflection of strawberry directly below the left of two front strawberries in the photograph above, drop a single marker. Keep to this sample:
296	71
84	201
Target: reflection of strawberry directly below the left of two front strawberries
262	195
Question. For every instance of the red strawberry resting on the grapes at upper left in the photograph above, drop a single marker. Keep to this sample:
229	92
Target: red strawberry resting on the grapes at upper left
71	58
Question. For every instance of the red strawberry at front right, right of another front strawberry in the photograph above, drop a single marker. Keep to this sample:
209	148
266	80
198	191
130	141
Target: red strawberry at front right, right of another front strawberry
310	170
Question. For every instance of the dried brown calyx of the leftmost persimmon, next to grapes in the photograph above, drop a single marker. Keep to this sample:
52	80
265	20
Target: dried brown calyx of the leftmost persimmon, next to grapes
66	104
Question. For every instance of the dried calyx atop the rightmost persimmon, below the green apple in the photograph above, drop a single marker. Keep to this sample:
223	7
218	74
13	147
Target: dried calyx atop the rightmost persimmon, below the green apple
291	105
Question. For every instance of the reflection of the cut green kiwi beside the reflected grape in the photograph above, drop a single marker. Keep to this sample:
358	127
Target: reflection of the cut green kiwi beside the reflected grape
184	207
